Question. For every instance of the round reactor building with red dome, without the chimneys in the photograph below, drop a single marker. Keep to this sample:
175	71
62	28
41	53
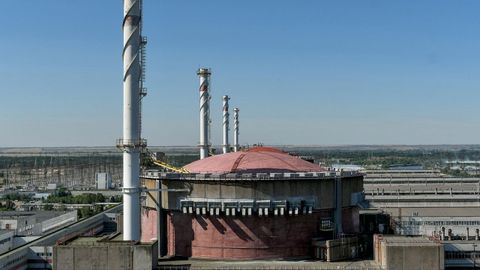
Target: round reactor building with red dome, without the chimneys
255	204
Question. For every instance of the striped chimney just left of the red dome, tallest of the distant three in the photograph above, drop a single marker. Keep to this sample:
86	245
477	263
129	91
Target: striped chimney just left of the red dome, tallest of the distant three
204	74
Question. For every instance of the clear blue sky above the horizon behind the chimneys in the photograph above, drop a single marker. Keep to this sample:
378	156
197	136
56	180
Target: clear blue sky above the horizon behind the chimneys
301	72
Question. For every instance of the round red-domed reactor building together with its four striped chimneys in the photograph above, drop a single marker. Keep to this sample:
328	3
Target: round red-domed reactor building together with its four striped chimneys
252	203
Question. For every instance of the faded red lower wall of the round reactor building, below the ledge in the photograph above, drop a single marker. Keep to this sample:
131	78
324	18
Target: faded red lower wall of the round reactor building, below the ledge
245	237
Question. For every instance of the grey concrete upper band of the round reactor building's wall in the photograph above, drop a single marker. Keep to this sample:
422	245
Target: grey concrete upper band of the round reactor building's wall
321	191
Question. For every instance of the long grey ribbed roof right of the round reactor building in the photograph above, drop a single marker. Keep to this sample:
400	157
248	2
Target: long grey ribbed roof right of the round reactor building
420	188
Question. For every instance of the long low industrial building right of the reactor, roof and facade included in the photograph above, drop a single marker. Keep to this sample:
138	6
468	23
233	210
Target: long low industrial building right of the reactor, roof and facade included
430	204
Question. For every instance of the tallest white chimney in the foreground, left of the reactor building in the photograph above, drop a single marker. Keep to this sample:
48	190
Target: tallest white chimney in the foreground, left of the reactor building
131	143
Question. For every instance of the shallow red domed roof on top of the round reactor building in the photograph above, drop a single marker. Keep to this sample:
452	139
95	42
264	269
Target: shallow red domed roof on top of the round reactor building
258	159
